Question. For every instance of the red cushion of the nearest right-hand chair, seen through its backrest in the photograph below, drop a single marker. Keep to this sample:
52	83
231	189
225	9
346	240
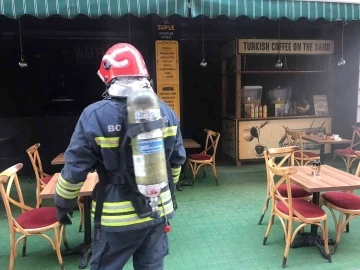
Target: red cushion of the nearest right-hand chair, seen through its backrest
305	208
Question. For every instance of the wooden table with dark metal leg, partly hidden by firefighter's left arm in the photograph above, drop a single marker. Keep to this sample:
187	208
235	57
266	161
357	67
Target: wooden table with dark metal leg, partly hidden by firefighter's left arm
85	191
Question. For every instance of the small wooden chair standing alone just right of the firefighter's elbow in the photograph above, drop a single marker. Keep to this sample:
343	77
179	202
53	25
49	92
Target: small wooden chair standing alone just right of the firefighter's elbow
196	161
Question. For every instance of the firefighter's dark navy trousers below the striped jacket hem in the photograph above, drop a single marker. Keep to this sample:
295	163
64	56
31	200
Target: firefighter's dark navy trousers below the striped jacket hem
148	247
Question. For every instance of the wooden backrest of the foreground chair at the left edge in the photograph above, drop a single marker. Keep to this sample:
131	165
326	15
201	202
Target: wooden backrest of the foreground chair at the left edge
8	178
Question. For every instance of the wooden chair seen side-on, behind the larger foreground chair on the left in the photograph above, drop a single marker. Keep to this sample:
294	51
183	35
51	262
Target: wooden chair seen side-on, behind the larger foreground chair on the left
41	178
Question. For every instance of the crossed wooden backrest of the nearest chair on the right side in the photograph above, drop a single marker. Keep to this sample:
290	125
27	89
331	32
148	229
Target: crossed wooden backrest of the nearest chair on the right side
284	173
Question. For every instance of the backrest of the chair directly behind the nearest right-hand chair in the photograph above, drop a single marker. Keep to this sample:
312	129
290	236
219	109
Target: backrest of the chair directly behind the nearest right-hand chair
284	155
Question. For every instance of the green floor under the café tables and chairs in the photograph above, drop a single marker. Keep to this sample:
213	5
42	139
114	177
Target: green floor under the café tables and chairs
215	228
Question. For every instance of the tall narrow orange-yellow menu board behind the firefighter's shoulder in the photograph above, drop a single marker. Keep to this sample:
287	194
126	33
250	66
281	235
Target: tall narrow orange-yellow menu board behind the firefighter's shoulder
167	73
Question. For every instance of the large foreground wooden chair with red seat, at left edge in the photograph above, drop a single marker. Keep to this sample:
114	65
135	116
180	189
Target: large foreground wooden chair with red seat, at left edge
31	221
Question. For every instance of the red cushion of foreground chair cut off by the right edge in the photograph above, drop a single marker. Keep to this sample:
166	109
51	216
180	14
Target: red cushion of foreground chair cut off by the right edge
343	200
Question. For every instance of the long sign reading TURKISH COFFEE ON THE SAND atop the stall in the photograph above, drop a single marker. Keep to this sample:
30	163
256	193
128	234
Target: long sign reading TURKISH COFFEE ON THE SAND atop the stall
272	46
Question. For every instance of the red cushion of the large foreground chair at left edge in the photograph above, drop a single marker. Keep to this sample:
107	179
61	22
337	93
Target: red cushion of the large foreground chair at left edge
37	218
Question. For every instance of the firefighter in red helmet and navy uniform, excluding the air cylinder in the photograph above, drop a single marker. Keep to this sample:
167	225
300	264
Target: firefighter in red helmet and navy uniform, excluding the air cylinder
123	225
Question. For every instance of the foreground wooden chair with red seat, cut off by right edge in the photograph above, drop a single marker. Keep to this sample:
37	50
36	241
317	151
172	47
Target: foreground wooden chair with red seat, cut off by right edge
346	203
